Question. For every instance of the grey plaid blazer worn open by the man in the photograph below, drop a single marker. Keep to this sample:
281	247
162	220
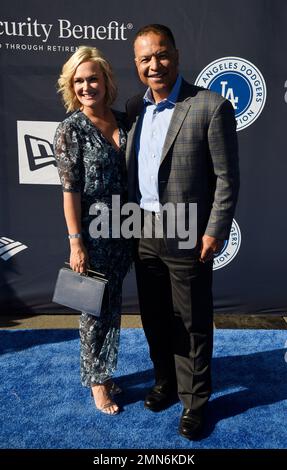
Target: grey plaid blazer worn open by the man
199	161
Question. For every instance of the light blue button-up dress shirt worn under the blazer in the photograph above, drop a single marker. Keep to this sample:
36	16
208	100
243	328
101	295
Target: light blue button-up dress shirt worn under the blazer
150	137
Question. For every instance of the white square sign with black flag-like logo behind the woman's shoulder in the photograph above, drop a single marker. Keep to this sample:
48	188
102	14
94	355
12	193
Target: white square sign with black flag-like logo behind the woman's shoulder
37	164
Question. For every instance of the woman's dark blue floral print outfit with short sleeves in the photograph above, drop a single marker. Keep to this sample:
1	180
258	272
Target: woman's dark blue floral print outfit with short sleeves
89	164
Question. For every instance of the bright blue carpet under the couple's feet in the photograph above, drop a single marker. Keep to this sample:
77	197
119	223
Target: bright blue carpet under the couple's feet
44	406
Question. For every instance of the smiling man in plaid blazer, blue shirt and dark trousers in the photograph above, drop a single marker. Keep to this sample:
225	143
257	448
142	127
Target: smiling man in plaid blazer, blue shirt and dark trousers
182	148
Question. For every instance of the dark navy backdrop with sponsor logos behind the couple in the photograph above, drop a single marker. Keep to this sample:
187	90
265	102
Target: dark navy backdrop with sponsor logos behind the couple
235	48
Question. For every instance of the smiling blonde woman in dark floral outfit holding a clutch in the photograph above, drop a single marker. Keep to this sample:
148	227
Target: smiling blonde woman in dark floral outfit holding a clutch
89	149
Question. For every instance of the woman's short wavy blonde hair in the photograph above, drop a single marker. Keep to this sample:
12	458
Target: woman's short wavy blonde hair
65	81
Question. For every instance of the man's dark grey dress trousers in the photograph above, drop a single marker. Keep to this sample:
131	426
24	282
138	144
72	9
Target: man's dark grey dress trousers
175	295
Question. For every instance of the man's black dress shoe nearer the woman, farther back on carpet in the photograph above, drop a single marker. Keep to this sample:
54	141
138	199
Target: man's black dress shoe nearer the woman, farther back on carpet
160	397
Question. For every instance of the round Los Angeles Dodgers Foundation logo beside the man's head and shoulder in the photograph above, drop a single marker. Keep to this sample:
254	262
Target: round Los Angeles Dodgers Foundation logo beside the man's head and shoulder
239	81
